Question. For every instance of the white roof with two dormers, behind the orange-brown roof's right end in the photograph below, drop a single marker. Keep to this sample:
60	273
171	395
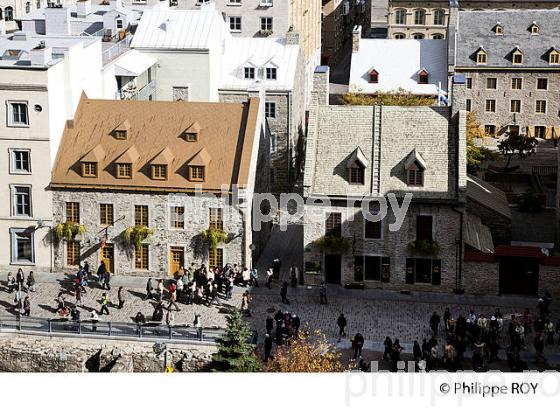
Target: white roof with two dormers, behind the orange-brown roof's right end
259	53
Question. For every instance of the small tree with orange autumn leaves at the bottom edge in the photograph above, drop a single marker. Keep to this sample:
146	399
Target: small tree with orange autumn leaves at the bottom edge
310	353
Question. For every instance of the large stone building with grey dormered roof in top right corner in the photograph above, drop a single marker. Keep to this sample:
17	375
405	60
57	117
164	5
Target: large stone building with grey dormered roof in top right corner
505	68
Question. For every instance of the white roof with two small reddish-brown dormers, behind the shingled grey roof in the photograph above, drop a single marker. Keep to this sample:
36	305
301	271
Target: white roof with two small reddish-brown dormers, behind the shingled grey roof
398	63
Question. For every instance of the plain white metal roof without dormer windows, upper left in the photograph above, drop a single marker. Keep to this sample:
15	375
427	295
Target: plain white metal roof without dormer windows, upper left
178	29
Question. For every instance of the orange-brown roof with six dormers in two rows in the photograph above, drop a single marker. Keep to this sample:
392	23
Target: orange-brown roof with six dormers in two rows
155	128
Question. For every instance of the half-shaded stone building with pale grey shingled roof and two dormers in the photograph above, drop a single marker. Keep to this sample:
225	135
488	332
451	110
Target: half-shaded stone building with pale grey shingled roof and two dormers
355	153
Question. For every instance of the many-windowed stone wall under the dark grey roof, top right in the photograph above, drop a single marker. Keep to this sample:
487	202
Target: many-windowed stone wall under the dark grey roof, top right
503	94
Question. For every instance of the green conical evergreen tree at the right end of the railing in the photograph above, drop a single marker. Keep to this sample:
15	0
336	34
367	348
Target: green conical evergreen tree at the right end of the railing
234	353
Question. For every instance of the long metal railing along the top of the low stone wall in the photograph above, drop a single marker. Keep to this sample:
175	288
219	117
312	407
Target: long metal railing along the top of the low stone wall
109	330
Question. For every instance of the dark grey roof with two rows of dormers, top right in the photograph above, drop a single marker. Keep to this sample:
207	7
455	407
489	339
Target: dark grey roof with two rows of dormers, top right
476	29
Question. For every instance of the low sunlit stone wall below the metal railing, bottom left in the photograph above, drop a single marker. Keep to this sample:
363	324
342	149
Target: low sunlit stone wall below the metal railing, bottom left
25	353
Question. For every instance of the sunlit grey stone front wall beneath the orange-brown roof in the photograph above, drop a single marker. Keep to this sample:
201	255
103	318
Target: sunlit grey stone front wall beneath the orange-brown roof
159	216
